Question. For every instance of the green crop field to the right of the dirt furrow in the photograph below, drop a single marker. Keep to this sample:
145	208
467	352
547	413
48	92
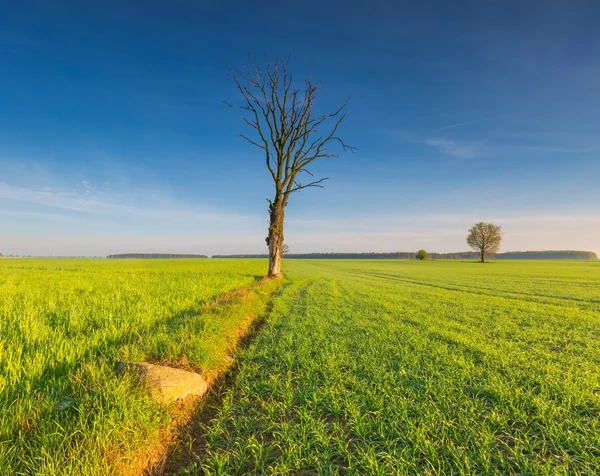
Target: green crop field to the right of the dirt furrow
394	367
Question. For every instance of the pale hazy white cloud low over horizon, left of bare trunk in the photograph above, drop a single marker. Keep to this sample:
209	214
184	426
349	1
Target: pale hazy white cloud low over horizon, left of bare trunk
83	212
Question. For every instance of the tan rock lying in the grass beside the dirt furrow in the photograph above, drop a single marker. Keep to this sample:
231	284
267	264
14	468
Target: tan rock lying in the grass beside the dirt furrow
166	384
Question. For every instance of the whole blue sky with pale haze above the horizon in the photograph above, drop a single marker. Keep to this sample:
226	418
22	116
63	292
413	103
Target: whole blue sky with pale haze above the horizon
114	137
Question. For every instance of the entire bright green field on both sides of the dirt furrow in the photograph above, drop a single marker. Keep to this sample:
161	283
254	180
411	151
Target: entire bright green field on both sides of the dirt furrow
376	367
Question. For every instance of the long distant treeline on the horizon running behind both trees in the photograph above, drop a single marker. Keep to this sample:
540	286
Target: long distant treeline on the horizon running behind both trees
568	254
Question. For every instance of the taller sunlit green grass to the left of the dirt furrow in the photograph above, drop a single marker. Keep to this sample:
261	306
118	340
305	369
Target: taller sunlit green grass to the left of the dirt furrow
66	323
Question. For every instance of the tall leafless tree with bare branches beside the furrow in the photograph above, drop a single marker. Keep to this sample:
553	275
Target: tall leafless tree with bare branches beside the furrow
288	131
